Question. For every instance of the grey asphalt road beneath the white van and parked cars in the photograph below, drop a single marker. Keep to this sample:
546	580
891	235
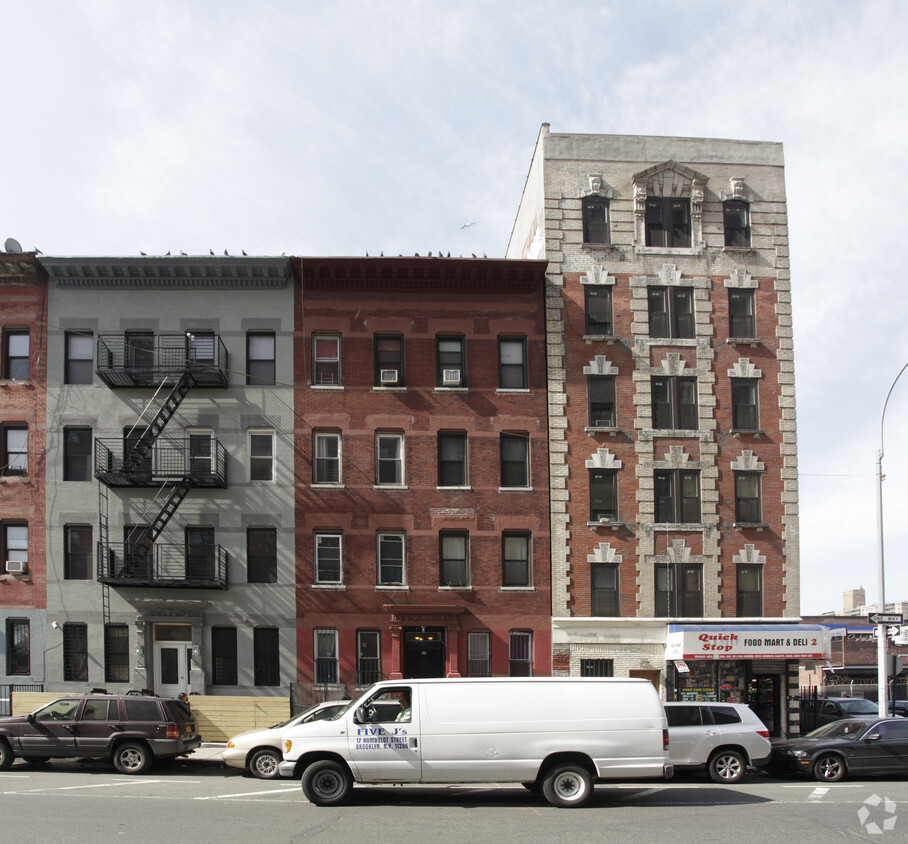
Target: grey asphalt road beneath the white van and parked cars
186	802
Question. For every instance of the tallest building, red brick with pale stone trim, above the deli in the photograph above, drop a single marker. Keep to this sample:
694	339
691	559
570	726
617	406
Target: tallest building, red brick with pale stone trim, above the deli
671	413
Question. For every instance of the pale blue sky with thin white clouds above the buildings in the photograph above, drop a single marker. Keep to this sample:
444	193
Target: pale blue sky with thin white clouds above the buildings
346	127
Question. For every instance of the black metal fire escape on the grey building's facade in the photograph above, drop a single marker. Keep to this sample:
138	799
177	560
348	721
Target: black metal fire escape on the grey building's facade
172	365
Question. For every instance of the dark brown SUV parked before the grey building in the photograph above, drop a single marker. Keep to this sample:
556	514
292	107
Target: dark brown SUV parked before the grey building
130	730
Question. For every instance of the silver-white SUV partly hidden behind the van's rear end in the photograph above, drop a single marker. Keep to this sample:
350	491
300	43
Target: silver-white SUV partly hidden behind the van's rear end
723	738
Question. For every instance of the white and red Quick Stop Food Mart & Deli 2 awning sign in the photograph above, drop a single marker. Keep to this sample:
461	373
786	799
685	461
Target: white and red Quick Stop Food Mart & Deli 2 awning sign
747	641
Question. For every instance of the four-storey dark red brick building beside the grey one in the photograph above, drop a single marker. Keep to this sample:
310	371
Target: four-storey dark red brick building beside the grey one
421	470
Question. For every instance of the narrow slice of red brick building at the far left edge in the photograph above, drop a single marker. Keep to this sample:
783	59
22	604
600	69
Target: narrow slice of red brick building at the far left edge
23	309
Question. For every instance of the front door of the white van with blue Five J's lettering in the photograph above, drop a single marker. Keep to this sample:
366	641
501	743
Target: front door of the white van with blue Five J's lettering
383	739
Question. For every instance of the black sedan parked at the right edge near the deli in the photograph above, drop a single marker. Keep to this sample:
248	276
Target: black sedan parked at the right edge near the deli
850	746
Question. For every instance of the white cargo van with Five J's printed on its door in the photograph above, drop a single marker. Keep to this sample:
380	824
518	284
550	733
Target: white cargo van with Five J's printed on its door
555	735
